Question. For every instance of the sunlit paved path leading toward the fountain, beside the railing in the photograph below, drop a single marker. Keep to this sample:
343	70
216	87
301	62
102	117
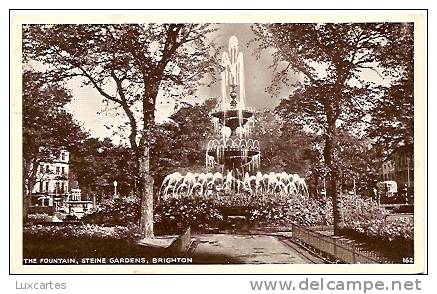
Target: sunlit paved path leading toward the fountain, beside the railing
250	249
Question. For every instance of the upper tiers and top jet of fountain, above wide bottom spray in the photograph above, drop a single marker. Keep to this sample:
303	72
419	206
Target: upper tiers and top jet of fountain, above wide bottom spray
235	151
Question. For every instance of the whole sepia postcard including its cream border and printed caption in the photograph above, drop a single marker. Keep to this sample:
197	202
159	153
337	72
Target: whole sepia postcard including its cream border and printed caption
218	142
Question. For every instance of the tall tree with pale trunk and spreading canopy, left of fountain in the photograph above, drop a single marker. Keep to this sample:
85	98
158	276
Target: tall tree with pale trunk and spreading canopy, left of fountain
129	65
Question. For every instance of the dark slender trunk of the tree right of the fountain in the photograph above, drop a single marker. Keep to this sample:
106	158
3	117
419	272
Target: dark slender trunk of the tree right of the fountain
332	189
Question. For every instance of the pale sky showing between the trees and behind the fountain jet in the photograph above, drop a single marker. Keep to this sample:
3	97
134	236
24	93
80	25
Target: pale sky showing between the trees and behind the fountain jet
87	102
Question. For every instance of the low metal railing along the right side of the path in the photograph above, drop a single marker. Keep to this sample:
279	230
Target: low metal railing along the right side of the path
333	246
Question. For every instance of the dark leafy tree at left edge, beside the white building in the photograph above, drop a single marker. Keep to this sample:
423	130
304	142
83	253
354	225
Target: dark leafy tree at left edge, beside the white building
47	127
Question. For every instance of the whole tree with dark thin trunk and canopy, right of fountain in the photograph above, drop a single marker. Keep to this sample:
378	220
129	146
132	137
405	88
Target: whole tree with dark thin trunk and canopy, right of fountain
331	90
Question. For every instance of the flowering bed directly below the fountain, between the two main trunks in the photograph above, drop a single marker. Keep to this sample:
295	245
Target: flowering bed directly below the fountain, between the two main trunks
201	213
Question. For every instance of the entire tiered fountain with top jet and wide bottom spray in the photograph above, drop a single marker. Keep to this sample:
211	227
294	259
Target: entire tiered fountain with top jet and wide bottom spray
234	157
